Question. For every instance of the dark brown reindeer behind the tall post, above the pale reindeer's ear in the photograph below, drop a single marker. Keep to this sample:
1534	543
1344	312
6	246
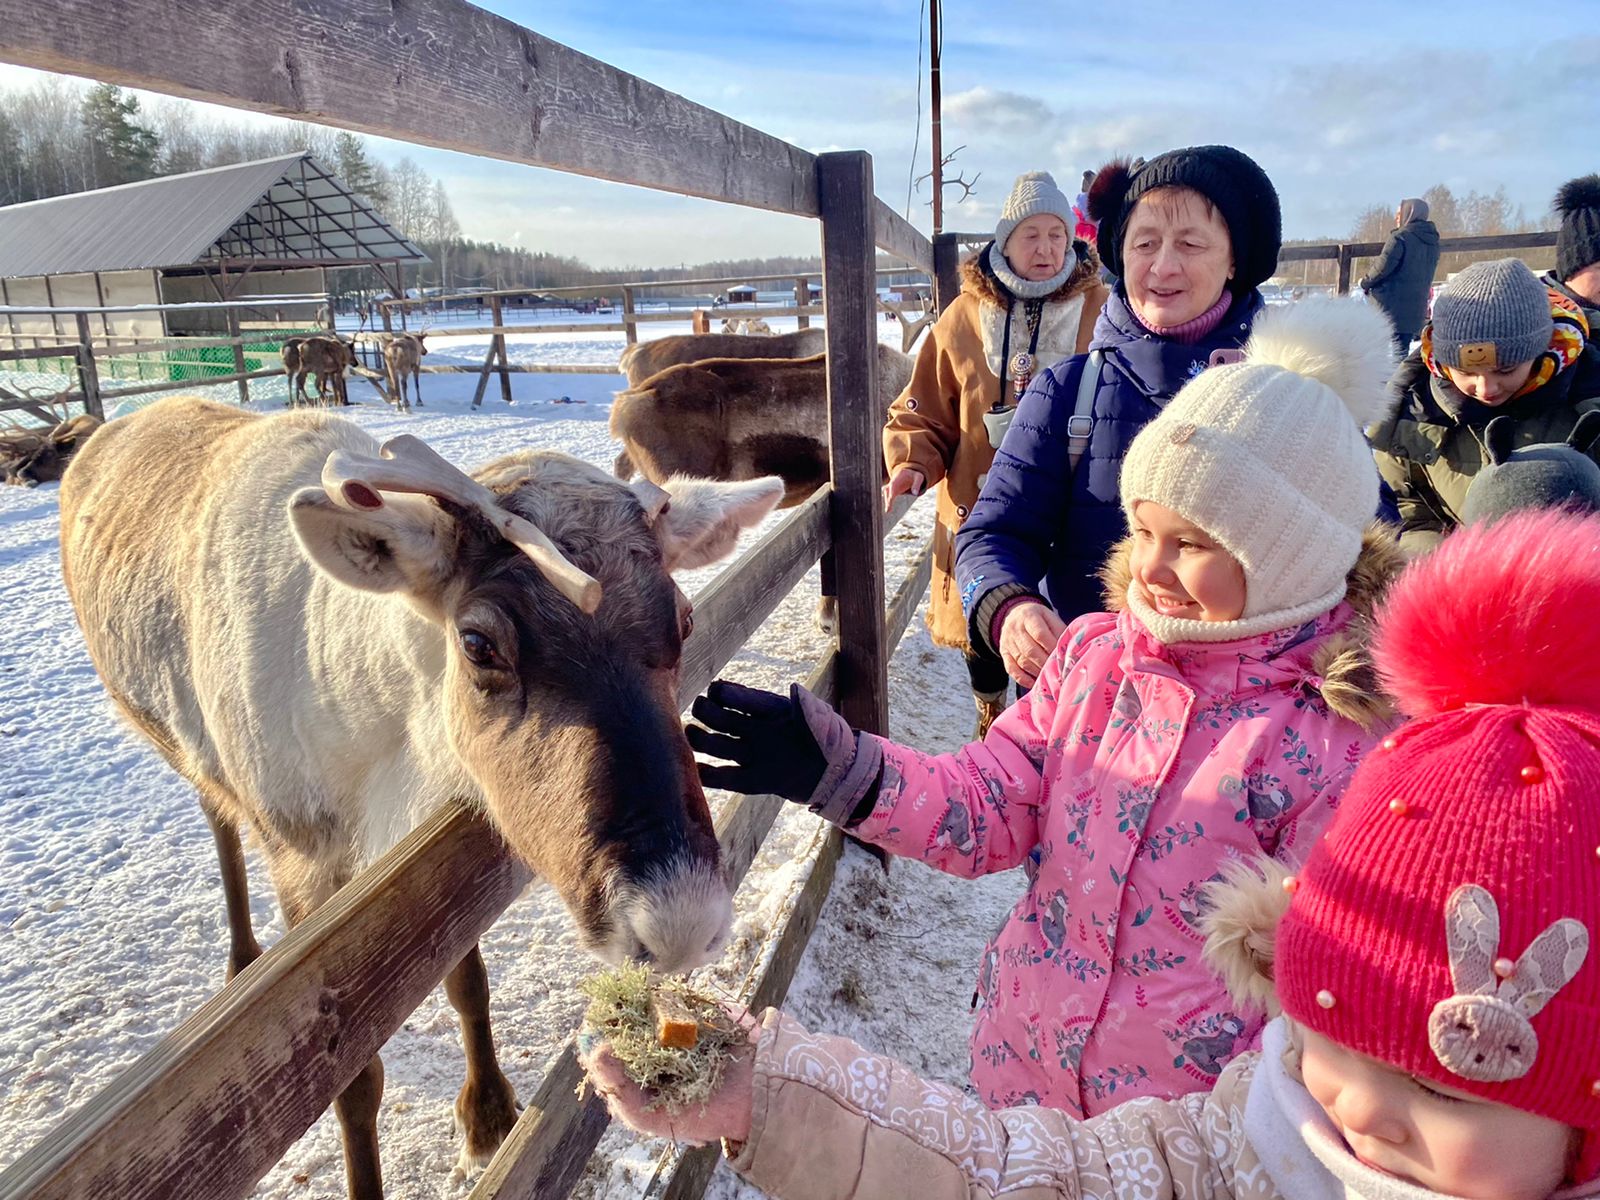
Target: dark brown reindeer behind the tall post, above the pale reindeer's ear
738	418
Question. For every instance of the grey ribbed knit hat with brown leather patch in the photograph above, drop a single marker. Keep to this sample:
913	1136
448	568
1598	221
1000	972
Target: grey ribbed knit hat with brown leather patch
1490	316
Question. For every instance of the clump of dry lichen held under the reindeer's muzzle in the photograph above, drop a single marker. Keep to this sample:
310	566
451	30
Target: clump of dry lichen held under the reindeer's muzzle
626	1009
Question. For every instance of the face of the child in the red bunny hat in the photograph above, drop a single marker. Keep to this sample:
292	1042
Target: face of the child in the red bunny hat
1434	1137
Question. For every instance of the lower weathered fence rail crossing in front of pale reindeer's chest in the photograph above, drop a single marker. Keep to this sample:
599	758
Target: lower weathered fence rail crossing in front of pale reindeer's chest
217	1105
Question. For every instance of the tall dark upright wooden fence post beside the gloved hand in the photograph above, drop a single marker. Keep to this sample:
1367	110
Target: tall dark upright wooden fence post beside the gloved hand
855	423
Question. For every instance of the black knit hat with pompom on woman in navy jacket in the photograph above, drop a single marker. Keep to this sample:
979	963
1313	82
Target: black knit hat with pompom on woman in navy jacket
1225	177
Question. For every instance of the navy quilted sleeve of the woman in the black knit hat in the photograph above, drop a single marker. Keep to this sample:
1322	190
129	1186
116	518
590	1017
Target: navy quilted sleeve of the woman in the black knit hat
1009	538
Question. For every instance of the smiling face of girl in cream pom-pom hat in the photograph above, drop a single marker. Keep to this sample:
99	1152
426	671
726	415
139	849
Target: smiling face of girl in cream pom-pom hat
1182	570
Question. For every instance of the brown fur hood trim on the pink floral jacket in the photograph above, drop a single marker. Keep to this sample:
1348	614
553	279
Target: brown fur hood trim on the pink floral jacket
1345	665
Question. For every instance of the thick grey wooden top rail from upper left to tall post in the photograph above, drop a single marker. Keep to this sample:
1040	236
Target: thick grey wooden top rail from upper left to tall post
439	74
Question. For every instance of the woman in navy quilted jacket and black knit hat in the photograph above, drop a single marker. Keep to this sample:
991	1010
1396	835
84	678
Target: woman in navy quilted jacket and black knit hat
1191	236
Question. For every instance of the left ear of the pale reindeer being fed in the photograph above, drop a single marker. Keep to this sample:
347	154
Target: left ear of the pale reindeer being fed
406	545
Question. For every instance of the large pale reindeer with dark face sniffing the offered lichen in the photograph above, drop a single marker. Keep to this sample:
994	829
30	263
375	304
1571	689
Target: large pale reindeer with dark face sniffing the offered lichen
338	639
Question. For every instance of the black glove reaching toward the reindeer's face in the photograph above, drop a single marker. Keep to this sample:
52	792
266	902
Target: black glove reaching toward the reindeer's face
766	735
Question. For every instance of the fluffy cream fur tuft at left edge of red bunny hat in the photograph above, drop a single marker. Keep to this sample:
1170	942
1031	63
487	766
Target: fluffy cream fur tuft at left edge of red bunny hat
1241	929
